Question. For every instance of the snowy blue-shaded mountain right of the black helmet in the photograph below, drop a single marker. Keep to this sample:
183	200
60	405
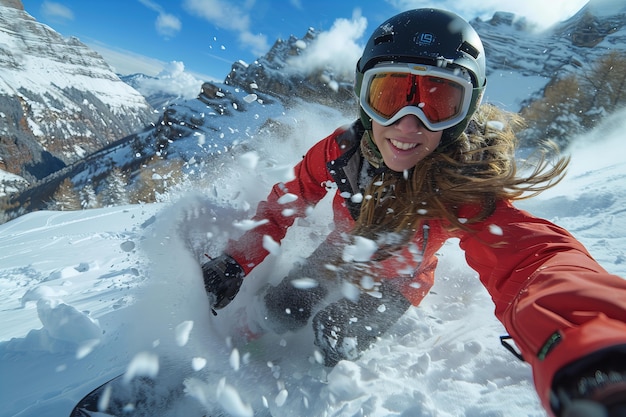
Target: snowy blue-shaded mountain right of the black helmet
522	61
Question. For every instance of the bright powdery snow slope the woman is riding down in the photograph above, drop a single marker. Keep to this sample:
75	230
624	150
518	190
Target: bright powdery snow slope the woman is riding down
85	294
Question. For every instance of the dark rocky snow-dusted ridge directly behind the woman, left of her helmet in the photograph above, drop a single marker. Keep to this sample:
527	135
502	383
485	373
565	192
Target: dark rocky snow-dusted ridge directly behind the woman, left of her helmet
190	132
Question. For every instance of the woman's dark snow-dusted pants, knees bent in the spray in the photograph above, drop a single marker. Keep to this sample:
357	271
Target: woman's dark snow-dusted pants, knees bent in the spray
343	327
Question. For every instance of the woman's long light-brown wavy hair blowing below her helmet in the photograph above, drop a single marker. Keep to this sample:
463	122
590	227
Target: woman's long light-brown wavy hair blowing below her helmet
477	169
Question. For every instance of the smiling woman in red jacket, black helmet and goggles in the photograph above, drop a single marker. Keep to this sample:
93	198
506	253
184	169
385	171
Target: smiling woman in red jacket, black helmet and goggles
420	166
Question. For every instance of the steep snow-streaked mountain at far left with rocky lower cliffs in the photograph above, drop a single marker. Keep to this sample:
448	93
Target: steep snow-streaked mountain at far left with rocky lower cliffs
59	100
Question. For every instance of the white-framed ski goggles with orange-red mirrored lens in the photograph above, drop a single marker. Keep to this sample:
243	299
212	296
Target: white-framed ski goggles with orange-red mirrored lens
439	98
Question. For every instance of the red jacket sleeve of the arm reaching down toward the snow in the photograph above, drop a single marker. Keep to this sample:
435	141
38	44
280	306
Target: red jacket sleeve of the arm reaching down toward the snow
285	203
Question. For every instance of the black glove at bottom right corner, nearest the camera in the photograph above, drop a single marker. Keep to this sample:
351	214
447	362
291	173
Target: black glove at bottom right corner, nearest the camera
594	386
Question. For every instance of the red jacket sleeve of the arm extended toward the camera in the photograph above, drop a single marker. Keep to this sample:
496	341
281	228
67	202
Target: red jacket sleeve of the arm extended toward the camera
555	300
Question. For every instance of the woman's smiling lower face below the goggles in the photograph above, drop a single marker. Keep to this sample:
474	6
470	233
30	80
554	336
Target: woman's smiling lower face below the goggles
404	143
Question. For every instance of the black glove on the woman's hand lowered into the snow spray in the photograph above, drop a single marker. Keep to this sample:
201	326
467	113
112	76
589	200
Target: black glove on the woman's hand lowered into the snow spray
222	279
